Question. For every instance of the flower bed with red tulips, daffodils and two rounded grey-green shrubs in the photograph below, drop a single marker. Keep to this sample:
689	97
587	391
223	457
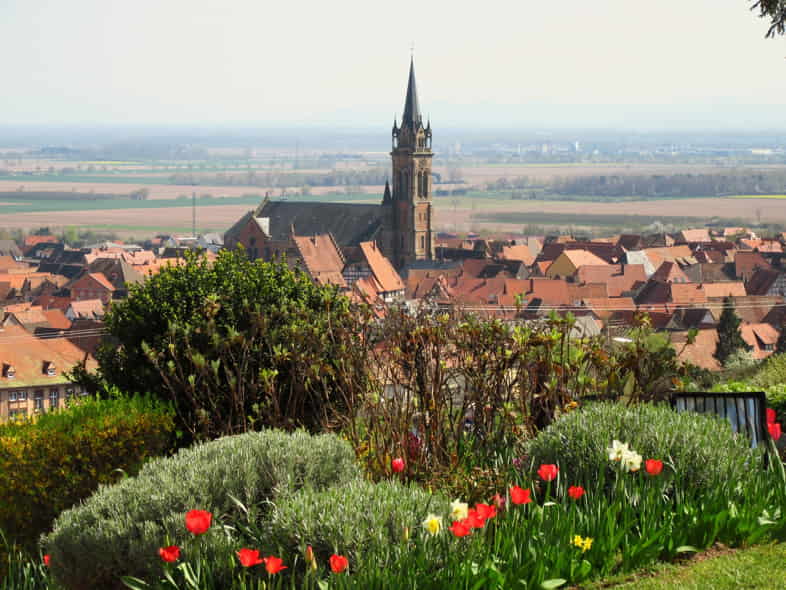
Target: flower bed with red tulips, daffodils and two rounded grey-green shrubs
551	525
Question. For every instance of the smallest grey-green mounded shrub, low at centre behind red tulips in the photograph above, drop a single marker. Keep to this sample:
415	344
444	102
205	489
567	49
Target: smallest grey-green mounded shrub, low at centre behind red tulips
359	518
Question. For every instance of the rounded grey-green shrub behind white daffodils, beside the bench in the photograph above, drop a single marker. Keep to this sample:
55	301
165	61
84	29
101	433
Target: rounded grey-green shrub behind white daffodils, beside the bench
700	451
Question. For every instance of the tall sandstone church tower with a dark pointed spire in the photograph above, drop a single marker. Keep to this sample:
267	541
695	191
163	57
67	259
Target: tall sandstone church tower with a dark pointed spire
412	236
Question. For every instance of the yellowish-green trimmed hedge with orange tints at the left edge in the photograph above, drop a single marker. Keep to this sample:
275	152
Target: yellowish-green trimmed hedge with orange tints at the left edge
50	464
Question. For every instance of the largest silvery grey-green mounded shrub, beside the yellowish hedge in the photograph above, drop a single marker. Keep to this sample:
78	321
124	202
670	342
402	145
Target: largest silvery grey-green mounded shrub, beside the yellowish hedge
119	529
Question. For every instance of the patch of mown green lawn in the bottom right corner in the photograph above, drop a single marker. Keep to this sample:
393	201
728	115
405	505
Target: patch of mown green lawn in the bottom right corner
758	568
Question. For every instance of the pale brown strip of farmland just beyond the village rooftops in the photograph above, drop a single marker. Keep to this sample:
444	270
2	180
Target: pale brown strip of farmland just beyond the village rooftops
467	213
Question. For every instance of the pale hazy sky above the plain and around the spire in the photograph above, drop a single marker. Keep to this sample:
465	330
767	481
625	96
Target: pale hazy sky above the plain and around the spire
587	63
